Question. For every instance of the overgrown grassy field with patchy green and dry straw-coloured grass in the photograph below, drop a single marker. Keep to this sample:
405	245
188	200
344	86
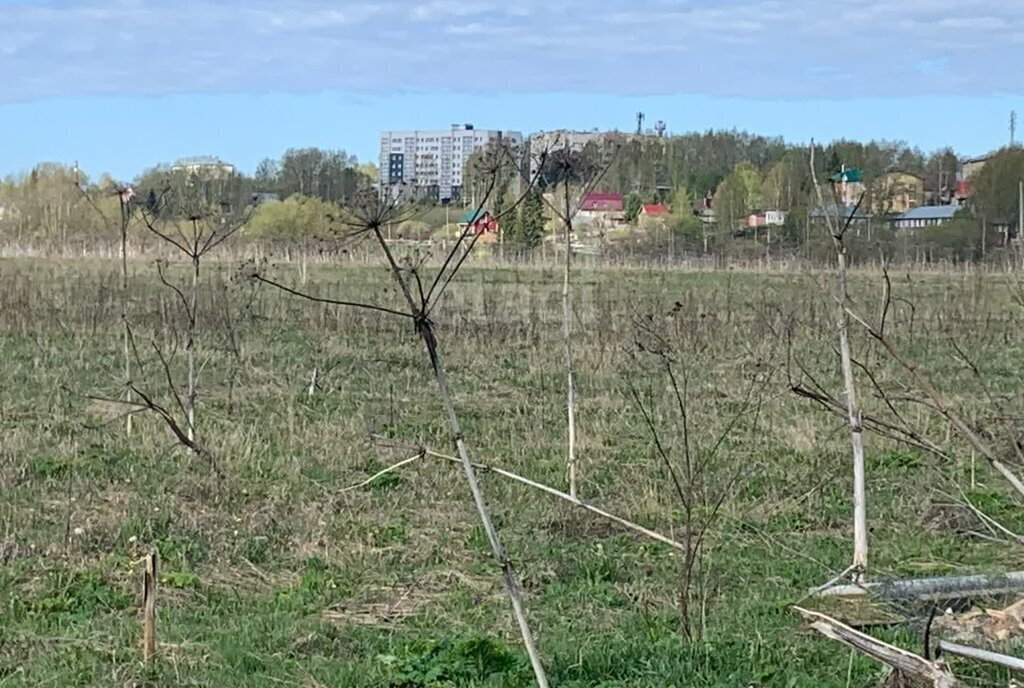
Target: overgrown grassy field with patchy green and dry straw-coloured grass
280	577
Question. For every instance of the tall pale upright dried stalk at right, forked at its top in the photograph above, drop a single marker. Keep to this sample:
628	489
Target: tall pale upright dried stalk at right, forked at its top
838	229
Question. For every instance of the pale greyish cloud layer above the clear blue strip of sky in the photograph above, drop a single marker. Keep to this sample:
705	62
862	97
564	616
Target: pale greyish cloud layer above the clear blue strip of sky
748	49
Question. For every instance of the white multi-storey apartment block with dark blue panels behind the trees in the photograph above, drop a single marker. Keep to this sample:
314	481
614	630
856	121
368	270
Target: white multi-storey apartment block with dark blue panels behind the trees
433	162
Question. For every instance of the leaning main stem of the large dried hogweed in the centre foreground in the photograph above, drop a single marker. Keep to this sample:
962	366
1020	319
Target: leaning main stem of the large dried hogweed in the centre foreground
425	331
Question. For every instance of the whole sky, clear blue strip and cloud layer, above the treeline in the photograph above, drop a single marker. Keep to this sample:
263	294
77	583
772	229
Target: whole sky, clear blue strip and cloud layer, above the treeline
120	85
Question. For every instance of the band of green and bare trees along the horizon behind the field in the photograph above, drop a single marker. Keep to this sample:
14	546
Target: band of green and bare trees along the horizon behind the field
746	173
